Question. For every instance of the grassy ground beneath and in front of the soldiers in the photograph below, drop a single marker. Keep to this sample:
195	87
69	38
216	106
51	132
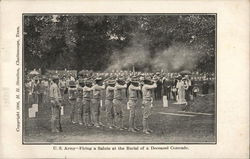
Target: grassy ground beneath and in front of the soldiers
170	125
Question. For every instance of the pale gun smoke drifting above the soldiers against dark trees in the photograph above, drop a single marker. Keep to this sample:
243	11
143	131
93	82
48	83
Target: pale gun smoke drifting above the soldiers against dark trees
177	57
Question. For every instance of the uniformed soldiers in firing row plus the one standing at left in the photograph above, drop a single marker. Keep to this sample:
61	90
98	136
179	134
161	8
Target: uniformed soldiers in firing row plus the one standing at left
84	96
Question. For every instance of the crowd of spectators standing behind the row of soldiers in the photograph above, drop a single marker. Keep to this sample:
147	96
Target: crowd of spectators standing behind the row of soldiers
37	85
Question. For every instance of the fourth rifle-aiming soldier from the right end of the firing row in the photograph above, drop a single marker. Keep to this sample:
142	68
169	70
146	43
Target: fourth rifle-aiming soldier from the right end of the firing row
109	103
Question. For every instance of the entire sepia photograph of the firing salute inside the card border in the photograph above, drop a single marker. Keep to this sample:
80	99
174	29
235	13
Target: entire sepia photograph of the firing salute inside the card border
119	78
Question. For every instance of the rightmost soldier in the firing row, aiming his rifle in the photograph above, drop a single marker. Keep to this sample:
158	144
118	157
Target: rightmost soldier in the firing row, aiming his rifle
146	102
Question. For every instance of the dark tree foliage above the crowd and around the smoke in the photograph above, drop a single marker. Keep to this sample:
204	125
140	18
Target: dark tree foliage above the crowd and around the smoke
88	41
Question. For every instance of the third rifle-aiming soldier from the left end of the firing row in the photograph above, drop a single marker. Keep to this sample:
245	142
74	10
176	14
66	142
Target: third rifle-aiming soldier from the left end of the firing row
87	93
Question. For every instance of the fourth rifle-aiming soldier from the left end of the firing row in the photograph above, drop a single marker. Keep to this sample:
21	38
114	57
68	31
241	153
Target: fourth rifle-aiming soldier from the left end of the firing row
97	87
